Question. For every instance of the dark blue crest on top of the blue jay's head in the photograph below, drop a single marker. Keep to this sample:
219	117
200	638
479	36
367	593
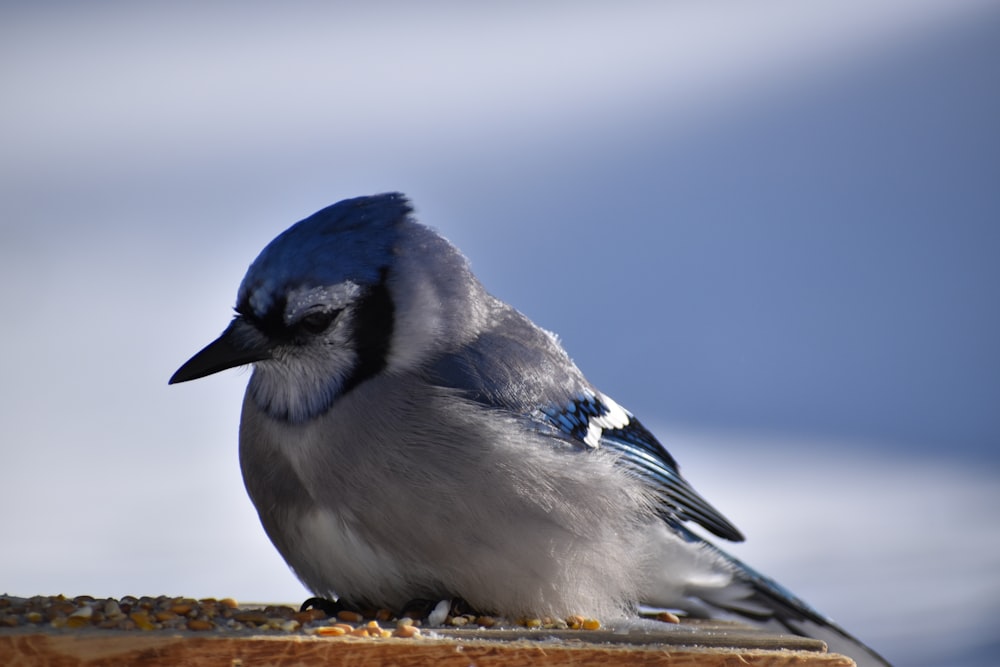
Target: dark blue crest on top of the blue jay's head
350	240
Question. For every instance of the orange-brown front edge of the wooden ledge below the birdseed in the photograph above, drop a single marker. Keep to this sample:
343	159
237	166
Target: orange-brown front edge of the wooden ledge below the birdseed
154	650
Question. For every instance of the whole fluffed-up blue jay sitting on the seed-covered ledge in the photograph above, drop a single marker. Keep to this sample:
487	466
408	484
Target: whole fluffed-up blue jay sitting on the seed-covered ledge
406	435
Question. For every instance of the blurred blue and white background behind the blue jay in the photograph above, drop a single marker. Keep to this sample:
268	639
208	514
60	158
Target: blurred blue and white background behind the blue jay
770	229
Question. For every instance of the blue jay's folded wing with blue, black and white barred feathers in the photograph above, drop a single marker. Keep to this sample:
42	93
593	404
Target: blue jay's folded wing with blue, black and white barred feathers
522	369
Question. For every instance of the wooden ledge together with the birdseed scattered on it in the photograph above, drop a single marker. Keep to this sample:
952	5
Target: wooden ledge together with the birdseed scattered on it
55	631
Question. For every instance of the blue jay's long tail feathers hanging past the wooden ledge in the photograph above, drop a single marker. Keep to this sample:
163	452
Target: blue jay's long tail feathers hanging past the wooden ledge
755	598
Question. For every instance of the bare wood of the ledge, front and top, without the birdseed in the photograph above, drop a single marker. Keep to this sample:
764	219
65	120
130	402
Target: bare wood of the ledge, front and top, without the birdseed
690	644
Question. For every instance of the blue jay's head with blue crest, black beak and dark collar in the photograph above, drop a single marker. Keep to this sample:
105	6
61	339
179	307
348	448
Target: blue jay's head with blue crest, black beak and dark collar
322	307
